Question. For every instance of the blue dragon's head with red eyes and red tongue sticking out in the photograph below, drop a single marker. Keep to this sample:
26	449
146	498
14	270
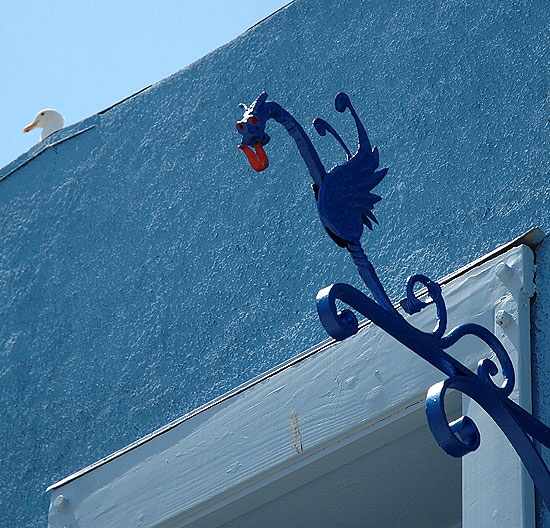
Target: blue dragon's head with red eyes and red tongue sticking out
252	128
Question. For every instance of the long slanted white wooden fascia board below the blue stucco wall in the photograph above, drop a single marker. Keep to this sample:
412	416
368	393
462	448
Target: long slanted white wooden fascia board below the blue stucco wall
274	426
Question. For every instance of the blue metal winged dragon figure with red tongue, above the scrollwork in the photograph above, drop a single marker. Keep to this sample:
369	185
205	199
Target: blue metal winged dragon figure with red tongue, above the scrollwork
344	199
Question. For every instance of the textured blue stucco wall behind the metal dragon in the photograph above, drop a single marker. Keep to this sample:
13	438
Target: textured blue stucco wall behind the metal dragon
145	269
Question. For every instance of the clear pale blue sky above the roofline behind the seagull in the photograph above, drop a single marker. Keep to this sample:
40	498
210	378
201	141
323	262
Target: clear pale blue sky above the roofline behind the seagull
81	57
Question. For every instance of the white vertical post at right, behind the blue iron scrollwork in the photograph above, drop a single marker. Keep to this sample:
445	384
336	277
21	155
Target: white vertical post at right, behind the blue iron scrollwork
510	503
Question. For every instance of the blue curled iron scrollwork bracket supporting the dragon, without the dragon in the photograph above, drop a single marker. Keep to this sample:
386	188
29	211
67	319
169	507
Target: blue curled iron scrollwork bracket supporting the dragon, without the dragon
461	436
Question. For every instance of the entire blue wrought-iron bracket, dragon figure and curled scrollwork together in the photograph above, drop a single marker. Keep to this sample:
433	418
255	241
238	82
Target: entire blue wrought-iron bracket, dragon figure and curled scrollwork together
345	204
